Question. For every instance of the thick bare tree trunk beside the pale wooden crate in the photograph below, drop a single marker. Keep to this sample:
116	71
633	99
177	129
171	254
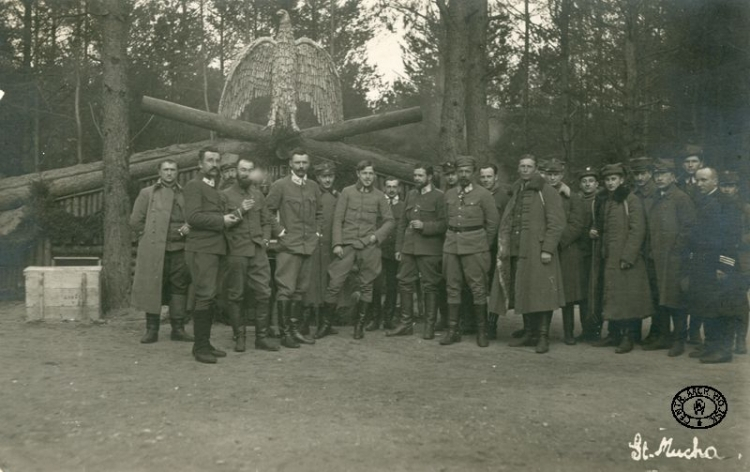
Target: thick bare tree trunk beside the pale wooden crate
116	136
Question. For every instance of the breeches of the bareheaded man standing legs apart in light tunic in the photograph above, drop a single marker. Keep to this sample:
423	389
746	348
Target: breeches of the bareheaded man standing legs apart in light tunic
369	264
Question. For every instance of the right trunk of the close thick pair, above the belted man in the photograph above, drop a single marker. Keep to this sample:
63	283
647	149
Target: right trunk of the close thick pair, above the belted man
477	120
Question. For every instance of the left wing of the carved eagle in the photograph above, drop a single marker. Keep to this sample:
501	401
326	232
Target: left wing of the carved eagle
249	77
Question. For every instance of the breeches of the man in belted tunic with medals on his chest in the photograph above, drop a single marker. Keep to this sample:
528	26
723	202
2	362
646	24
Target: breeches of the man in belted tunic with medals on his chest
471	269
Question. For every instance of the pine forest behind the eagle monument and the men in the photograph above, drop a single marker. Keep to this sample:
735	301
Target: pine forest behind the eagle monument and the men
588	81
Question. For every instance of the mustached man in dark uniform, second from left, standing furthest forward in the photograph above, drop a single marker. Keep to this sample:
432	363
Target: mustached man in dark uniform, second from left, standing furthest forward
206	243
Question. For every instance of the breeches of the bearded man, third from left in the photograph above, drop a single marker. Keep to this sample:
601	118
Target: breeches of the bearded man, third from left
252	273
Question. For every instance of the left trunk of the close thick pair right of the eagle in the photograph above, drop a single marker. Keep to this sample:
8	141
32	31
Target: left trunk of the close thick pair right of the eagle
451	134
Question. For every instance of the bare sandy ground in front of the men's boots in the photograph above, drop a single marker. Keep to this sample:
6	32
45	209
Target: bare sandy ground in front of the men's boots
89	397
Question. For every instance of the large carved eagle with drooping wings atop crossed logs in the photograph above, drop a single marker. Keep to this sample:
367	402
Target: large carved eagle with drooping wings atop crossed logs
287	70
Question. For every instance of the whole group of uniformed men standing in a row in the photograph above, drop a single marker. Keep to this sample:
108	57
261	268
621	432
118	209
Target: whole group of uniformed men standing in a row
651	242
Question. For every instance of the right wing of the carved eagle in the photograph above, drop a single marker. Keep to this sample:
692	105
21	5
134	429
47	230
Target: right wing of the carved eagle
318	82
